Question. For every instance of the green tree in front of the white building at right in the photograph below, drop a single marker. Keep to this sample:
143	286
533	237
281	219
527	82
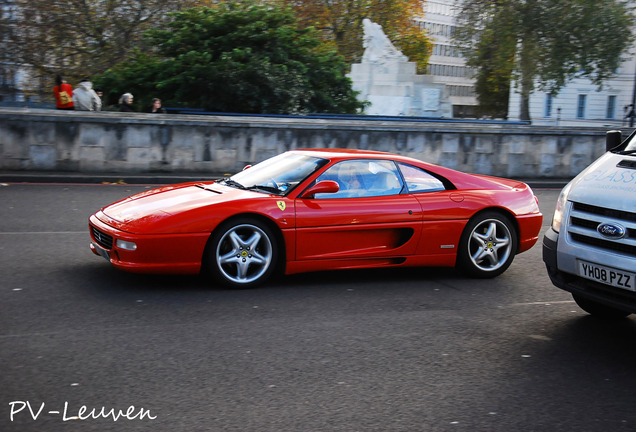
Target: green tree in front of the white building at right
543	42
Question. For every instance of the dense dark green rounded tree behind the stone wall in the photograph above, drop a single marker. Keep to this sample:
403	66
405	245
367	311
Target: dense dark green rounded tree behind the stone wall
242	57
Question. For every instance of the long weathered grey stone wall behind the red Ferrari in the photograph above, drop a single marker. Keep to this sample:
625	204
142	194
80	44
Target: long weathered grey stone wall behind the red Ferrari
107	142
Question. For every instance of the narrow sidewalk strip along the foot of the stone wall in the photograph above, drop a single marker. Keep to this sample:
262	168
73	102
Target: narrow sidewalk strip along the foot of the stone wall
172	178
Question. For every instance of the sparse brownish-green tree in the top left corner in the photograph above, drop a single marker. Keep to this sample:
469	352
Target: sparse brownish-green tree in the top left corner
76	38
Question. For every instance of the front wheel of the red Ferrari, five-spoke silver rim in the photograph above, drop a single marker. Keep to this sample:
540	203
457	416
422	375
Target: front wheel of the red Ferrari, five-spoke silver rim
242	253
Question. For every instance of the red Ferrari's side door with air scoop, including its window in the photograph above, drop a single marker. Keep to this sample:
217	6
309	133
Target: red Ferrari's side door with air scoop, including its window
369	216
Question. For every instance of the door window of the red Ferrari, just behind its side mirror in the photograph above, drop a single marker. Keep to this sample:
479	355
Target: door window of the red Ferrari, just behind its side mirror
363	178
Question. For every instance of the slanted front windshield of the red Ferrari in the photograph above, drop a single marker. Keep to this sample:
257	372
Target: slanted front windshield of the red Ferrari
278	175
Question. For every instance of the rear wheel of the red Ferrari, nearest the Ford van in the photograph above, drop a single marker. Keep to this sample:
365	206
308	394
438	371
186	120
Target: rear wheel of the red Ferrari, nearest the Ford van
488	245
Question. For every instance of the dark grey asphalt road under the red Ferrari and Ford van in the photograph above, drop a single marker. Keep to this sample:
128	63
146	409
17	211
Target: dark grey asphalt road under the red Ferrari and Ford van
409	350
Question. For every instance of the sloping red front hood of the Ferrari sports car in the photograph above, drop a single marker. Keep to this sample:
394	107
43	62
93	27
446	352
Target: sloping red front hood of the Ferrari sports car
175	209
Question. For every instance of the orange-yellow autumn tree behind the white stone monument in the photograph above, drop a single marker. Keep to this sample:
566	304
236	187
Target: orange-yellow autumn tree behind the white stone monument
340	23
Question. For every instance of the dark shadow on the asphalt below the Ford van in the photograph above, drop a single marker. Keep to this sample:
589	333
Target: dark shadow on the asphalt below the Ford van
591	358
